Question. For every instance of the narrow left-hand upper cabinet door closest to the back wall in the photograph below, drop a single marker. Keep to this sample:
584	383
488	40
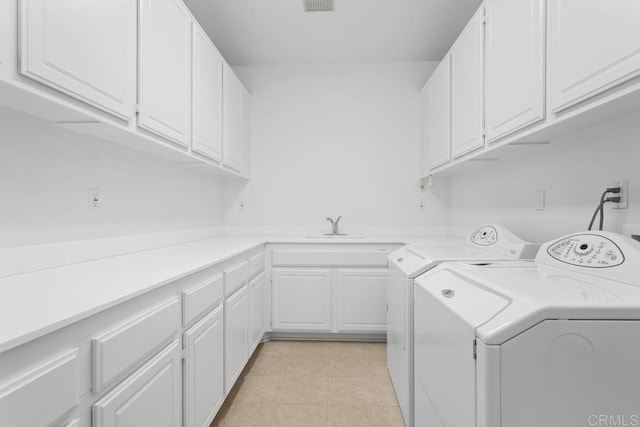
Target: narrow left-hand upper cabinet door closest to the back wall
236	122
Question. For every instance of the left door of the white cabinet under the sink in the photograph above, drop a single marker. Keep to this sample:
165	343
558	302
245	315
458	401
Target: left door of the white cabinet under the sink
301	300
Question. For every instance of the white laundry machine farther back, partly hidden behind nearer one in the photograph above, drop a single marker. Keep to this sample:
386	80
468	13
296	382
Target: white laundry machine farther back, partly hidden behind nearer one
489	243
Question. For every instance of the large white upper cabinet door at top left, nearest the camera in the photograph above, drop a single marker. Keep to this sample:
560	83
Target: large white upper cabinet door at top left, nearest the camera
84	49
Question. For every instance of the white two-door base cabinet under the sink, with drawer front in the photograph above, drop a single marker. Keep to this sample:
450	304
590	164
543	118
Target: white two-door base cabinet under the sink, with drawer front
329	288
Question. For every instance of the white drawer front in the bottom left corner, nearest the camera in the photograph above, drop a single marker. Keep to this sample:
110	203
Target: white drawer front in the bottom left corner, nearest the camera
43	394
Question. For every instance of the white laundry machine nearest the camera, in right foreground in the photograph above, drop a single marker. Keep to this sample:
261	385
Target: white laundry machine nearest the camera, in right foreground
555	343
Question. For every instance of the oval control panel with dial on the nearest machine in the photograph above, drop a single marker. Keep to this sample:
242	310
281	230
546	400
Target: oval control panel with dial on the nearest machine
587	250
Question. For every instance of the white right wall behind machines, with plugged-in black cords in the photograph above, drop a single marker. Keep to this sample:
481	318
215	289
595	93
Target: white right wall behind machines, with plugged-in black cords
573	170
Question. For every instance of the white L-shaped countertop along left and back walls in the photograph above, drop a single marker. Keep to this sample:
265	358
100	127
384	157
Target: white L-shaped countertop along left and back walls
36	303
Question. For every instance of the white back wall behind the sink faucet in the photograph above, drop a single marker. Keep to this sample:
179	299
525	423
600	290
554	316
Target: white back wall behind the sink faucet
329	140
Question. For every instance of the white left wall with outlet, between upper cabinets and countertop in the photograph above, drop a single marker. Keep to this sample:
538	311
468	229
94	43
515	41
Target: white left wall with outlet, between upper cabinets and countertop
45	173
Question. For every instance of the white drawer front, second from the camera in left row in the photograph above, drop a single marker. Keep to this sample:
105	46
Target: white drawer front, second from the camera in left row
126	344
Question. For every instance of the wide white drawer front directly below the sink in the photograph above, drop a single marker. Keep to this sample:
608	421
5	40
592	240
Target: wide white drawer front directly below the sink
372	258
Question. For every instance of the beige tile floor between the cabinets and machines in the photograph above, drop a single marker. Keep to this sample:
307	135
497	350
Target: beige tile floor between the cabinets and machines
313	383
